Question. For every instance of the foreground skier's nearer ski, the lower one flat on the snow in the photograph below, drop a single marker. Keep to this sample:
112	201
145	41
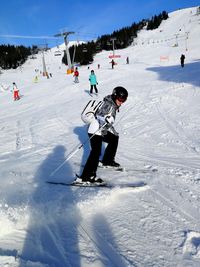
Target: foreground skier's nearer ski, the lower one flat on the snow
100	185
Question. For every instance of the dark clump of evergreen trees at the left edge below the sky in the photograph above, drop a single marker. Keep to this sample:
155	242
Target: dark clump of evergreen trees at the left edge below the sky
12	56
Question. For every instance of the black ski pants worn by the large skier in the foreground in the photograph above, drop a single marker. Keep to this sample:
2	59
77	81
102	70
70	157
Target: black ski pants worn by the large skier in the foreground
91	165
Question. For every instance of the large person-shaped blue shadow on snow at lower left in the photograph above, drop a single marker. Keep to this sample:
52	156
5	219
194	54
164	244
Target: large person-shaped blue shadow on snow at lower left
52	231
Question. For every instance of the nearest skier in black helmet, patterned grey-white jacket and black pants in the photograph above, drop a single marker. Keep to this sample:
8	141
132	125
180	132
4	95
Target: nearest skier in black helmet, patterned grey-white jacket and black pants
101	130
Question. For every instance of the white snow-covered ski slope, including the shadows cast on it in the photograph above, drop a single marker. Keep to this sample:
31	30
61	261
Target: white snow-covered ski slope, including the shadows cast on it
159	127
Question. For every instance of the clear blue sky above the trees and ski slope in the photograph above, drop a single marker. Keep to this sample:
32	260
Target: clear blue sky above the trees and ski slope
88	19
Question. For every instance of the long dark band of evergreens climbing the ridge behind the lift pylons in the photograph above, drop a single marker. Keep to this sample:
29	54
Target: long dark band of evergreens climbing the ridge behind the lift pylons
84	53
